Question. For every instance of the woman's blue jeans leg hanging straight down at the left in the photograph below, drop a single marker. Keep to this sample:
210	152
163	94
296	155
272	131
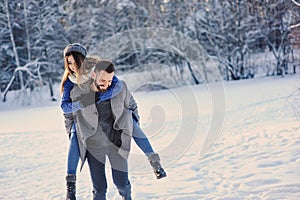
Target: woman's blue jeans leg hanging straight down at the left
73	154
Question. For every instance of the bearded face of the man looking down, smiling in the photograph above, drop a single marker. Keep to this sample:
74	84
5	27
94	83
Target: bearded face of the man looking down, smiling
102	80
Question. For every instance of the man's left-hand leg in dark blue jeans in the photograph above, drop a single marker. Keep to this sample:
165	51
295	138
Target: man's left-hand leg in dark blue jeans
97	172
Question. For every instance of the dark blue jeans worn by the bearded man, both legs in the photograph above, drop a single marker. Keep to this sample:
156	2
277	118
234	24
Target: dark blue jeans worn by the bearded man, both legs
119	169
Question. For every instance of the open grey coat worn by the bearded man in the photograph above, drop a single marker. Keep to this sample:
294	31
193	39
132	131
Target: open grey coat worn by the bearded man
123	107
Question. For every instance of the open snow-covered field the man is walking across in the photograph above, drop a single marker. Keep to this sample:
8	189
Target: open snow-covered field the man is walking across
240	141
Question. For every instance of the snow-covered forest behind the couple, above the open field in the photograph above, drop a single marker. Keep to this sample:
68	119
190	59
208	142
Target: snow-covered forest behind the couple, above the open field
161	43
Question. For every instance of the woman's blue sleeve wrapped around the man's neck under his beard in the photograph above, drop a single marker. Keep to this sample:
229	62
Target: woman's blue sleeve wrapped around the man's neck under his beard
113	90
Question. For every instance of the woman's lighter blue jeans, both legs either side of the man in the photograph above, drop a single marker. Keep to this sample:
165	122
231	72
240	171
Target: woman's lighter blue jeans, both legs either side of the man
73	156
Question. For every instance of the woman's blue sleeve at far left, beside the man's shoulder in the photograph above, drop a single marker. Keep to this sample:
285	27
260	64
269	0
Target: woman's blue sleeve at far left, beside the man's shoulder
66	103
